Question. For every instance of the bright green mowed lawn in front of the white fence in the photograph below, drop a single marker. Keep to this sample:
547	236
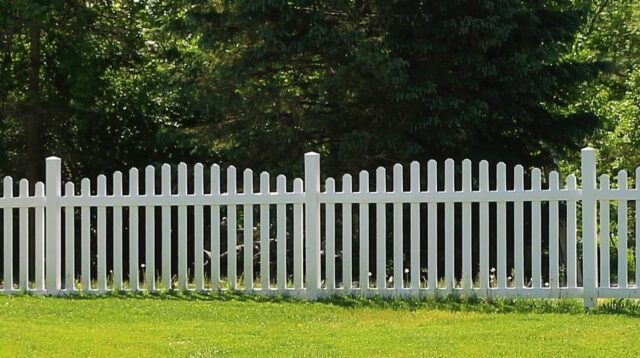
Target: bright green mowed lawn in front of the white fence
193	325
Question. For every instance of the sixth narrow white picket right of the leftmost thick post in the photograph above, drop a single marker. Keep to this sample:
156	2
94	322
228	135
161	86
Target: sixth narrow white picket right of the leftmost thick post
150	246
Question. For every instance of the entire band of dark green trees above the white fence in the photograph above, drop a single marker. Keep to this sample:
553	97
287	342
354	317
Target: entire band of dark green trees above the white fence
106	85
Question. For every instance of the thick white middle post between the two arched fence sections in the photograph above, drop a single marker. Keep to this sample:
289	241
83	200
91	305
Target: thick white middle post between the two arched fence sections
312	222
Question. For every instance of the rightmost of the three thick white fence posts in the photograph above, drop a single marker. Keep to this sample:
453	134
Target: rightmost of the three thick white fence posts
589	246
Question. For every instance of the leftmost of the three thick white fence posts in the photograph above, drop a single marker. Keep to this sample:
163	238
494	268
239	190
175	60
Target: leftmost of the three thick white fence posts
53	187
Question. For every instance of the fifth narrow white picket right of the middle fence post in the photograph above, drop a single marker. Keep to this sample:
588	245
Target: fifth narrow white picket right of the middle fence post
398	220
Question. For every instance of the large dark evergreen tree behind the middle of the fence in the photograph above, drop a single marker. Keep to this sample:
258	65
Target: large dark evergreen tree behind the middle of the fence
376	82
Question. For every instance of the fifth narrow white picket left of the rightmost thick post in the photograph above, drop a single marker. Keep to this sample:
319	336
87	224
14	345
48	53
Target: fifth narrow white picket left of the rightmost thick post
501	226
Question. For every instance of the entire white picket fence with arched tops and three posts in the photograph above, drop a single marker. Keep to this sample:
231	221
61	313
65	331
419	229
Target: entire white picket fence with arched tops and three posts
321	237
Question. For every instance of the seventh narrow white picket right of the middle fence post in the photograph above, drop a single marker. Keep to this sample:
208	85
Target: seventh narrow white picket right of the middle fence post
432	226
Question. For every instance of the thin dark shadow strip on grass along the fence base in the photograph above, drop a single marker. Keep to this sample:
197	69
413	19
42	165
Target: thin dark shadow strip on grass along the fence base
628	307
